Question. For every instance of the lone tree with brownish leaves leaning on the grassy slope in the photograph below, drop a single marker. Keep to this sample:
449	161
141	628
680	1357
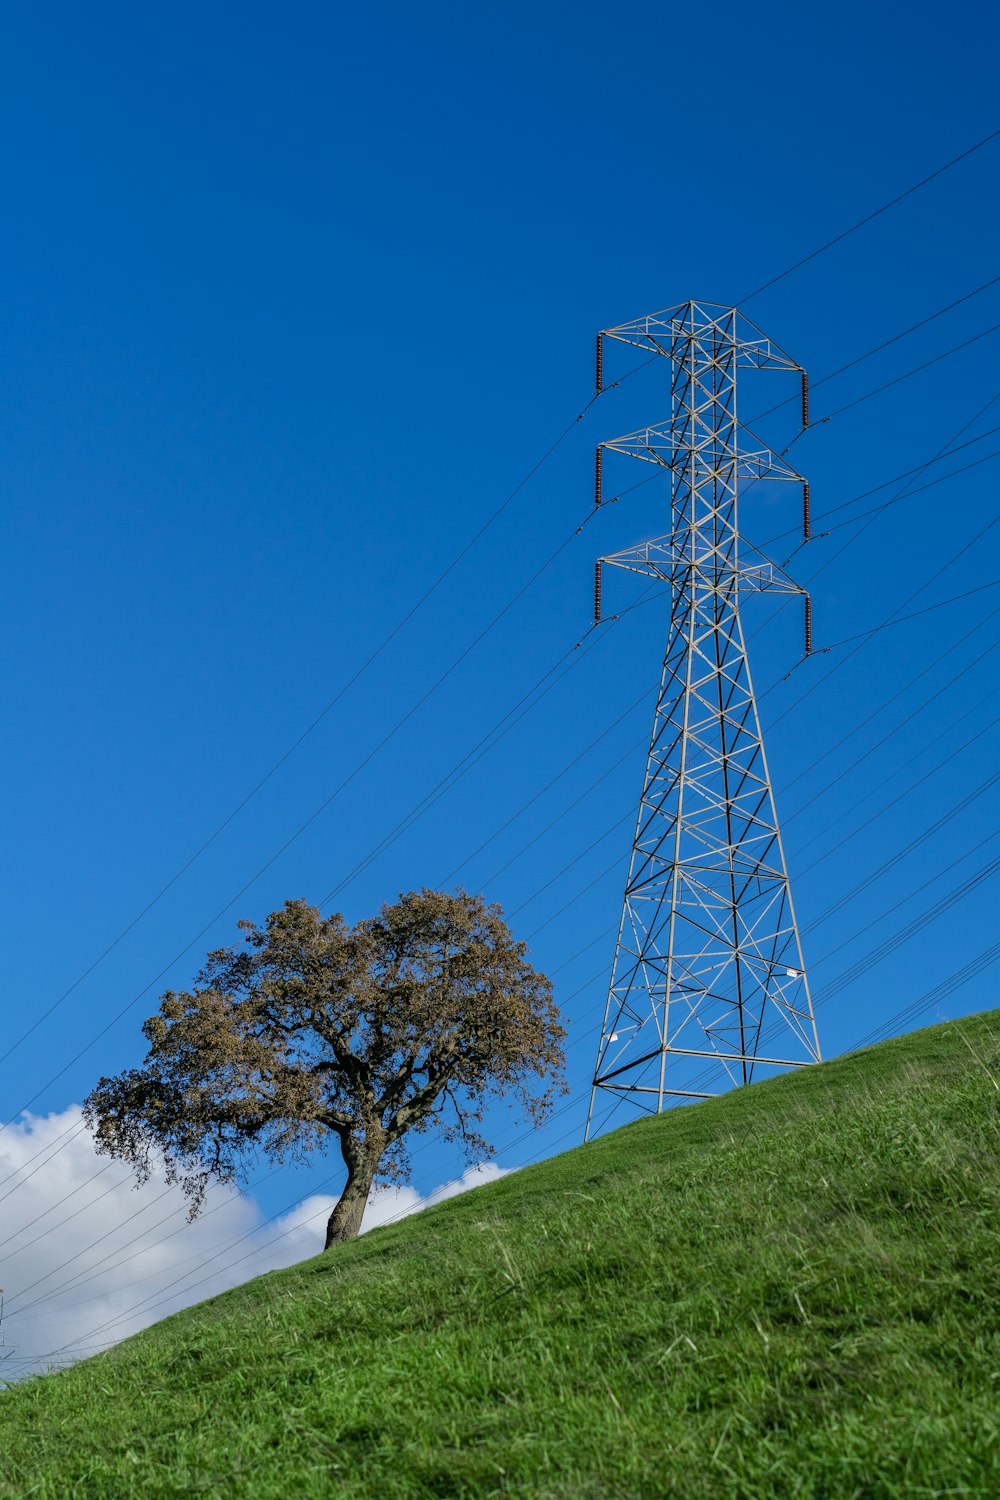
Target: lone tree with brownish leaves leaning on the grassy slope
310	1028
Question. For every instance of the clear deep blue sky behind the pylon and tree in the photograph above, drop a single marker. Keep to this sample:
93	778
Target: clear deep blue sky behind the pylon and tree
292	301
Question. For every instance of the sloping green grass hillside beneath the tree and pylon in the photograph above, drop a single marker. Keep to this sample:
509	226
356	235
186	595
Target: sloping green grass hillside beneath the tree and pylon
792	1291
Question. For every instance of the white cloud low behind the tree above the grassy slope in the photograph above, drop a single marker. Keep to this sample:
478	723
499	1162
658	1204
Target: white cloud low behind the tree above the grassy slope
88	1259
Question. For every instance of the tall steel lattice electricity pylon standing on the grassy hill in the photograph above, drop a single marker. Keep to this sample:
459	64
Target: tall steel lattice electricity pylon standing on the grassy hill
708	986
